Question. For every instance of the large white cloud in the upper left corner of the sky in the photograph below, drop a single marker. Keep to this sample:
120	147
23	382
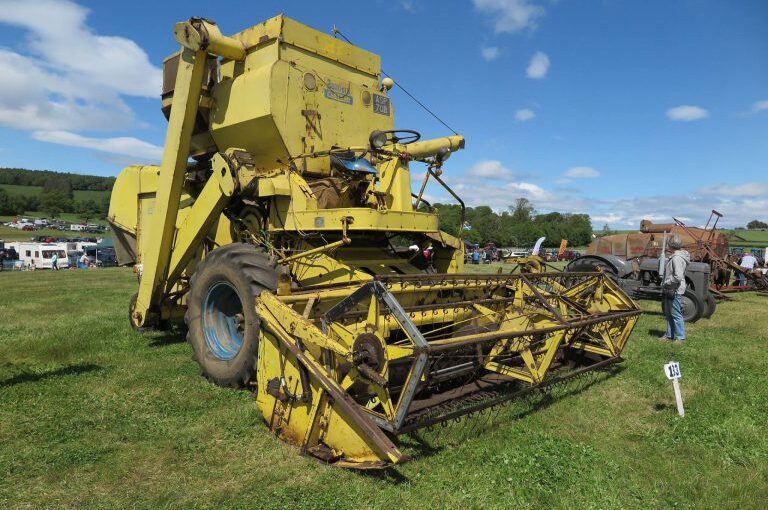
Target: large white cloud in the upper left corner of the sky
69	78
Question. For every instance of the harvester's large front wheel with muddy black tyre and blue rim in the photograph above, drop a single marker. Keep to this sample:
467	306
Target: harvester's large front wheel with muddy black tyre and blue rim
223	327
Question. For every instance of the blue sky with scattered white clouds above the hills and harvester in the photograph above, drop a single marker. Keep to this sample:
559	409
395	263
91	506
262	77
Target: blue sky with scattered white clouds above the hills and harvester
622	109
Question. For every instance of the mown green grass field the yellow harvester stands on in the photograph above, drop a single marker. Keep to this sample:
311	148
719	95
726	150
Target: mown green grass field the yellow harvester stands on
93	415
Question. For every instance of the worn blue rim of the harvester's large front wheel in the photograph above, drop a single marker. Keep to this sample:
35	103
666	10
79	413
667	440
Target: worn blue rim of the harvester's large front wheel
223	321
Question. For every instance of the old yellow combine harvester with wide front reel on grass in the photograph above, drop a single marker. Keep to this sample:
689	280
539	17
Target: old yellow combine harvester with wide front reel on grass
278	245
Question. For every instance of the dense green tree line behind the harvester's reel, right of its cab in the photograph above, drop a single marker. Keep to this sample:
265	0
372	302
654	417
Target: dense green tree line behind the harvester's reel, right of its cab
518	226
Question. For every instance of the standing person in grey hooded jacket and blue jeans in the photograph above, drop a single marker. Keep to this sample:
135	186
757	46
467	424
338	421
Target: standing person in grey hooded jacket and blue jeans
673	286
